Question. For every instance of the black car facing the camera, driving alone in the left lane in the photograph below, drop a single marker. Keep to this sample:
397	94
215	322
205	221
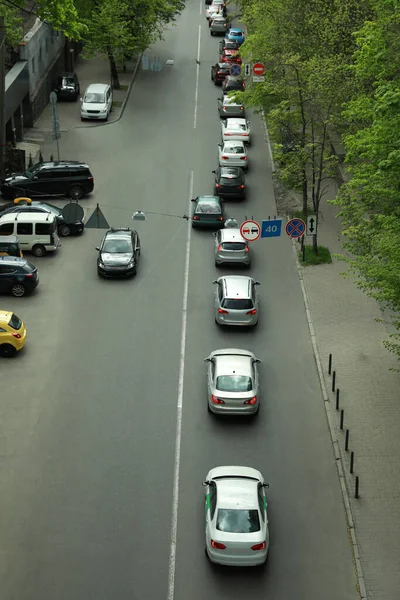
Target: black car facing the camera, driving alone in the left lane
119	253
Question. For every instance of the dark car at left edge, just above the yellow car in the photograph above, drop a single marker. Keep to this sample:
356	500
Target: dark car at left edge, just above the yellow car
17	276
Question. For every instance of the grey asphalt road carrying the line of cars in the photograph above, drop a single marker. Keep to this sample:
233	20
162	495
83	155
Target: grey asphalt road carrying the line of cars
88	412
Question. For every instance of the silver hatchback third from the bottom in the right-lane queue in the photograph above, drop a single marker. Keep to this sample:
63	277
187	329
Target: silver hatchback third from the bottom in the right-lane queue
236	301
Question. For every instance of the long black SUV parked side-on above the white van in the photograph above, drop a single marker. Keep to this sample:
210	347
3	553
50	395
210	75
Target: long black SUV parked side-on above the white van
72	179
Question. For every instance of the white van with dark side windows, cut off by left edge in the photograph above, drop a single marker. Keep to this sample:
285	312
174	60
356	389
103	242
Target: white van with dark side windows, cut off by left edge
36	232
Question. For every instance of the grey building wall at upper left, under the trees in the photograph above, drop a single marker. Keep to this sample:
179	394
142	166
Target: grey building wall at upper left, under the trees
42	48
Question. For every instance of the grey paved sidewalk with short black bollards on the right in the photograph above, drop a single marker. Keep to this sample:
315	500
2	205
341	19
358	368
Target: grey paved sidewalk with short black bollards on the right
345	326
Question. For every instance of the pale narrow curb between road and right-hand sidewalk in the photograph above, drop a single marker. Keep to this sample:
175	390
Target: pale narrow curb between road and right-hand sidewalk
327	405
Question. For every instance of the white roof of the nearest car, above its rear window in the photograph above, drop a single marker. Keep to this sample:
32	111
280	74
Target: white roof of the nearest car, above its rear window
237	493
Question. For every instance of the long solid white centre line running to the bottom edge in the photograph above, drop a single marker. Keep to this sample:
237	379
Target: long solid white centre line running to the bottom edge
178	434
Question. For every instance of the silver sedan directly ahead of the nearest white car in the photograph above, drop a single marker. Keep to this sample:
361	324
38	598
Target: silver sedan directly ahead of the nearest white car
232	382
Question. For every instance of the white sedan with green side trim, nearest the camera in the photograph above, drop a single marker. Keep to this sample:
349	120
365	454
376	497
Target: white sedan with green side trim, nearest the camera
236	517
